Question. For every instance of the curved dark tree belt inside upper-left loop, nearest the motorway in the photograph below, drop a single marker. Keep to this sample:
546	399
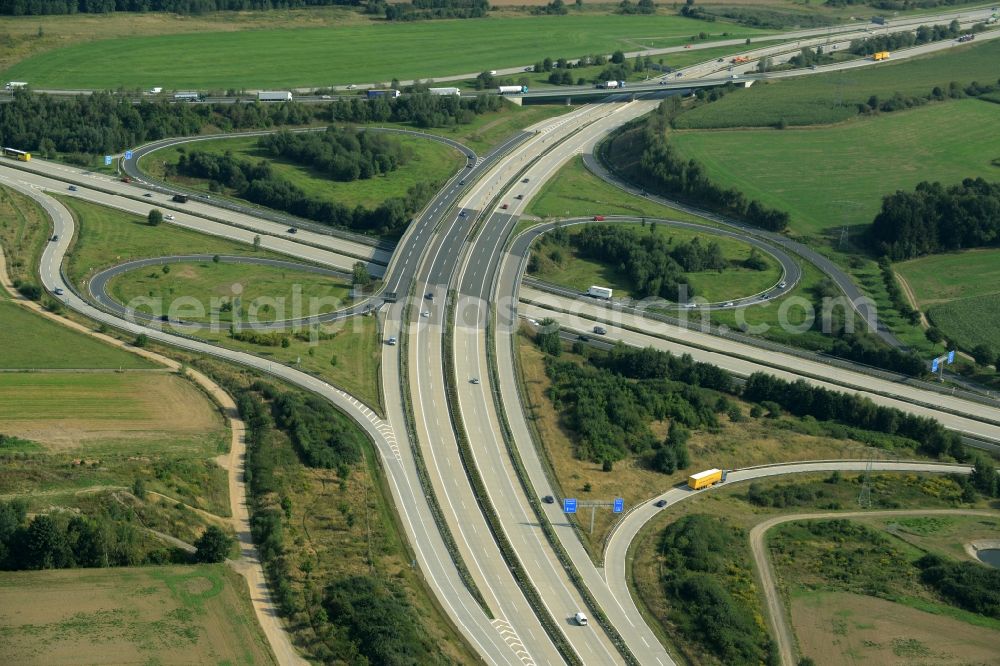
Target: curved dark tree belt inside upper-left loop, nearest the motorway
258	183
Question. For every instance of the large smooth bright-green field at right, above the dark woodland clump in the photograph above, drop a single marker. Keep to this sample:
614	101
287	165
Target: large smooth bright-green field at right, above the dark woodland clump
830	177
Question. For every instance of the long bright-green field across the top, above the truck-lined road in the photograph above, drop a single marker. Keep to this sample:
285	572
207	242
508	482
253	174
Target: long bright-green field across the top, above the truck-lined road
325	56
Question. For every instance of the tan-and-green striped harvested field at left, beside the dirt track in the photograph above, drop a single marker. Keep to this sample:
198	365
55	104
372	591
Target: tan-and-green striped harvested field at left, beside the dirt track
144	409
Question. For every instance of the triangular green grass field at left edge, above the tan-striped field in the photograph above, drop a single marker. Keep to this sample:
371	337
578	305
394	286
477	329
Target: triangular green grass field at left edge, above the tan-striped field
28	341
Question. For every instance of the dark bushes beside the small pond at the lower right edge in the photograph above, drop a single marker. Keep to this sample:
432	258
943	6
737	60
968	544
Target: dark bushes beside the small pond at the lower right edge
969	585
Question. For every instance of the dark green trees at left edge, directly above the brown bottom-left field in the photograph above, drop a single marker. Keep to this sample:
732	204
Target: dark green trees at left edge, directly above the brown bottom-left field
65	540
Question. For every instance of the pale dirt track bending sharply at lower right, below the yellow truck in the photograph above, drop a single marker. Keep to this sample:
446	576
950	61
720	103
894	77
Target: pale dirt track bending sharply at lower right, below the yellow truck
782	633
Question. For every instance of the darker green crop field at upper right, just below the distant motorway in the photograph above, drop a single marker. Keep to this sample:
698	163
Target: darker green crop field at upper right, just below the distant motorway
830	98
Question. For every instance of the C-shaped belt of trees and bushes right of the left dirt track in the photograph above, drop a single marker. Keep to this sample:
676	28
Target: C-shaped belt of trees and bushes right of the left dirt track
355	619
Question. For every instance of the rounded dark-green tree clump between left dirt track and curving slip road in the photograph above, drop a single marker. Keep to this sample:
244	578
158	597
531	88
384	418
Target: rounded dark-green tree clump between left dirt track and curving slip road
322	436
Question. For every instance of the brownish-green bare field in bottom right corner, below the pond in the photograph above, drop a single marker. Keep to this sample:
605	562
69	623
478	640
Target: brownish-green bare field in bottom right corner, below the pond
840	628
